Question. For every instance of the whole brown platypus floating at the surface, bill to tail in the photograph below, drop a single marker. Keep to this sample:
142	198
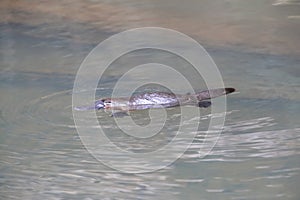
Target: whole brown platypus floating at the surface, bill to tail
157	100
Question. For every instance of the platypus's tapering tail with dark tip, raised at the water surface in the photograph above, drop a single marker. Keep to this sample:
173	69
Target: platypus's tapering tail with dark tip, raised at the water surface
209	94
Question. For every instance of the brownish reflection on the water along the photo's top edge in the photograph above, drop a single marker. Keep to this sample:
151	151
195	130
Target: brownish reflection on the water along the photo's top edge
262	25
